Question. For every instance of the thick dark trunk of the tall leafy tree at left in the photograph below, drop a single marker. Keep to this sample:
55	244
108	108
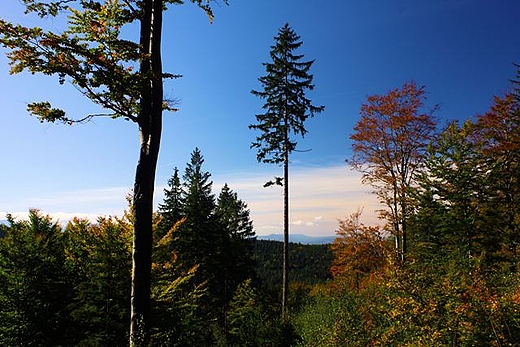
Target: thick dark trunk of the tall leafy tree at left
150	127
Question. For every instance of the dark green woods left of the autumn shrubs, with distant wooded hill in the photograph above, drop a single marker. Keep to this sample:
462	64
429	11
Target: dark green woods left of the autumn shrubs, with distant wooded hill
213	282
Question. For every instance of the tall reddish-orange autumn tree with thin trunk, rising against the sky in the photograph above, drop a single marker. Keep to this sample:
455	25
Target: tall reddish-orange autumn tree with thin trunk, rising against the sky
389	144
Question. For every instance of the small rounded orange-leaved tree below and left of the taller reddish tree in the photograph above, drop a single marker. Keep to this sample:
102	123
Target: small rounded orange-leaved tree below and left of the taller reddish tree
358	250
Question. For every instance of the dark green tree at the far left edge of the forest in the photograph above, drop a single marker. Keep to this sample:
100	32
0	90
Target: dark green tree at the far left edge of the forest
34	284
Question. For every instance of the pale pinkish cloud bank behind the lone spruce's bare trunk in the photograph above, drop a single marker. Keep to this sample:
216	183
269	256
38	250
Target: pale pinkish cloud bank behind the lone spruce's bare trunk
319	196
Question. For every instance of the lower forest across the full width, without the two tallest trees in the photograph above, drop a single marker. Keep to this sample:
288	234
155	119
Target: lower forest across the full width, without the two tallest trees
213	283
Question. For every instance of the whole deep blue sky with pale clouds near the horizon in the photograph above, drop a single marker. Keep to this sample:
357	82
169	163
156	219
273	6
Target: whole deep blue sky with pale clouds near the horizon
461	50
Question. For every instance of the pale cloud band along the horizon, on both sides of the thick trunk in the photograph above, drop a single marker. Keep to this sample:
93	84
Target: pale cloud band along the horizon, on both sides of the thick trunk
319	196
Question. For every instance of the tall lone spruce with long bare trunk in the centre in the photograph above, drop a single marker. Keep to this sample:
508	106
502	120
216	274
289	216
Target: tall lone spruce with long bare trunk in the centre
286	110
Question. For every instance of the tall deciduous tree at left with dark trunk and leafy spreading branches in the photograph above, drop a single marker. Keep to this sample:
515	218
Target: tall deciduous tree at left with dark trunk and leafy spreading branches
122	76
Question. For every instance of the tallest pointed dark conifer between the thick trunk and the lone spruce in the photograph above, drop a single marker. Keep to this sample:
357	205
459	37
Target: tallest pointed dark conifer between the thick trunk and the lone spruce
202	241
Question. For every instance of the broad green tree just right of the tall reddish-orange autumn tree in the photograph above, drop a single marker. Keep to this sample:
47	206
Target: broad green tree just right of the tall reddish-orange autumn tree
455	191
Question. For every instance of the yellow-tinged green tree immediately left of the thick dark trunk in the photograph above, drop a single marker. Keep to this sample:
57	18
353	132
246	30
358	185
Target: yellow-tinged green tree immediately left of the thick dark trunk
100	255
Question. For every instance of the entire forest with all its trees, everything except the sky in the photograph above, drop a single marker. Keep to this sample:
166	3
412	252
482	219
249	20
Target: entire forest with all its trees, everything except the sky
440	269
